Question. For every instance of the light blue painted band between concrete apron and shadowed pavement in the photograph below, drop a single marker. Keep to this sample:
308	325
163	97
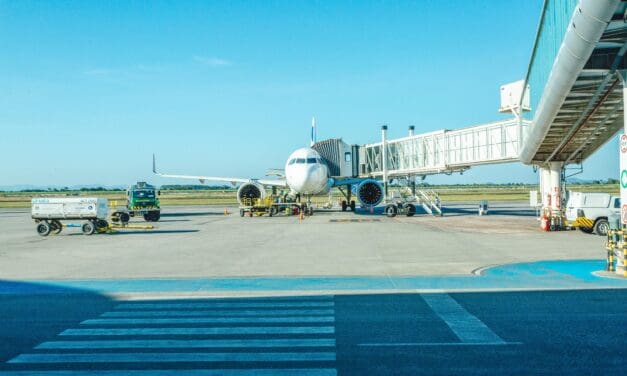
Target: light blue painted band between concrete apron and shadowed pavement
537	275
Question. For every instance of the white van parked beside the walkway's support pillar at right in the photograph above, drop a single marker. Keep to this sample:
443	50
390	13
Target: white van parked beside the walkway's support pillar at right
595	208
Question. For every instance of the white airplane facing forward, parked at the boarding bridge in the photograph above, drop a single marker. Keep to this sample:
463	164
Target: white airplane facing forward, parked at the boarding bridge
306	174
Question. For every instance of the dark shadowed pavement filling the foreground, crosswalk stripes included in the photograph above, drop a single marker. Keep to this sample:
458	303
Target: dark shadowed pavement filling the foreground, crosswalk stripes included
533	332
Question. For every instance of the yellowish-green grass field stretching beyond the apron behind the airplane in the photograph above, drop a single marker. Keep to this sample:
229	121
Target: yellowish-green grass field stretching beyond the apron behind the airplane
227	197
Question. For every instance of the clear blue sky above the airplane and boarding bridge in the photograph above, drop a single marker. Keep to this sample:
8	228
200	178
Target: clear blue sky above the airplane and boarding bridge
90	89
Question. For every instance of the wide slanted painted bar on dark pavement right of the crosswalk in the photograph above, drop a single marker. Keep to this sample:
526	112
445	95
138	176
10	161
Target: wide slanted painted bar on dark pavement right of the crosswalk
468	328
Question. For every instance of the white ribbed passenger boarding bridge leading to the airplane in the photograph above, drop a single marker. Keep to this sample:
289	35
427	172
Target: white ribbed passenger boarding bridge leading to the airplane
444	151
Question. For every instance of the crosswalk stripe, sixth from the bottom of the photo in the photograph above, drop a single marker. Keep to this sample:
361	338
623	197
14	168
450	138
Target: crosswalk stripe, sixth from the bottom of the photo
232	313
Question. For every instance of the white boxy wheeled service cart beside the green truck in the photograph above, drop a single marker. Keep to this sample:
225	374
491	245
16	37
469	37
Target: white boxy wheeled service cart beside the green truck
48	212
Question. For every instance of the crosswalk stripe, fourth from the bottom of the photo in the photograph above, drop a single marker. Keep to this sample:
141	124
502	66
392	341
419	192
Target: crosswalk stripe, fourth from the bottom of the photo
201	331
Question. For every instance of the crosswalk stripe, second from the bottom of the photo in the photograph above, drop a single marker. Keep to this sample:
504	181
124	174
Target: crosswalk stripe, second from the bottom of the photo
206	357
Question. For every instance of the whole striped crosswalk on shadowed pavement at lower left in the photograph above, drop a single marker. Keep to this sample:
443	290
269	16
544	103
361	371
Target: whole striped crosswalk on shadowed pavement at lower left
277	332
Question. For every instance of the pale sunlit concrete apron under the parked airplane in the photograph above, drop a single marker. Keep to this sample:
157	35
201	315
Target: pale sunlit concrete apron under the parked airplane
203	242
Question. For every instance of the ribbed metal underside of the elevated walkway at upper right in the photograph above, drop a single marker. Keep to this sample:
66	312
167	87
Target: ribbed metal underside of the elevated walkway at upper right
592	110
